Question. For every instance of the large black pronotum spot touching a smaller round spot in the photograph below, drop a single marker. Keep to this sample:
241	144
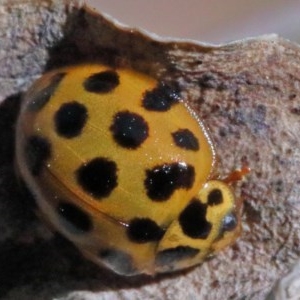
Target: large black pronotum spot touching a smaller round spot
193	220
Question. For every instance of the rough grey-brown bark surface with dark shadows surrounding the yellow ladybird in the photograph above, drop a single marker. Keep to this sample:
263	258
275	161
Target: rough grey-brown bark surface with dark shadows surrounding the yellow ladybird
247	93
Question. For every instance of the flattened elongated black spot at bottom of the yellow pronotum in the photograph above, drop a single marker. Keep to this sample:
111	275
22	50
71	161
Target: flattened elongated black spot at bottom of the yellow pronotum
171	256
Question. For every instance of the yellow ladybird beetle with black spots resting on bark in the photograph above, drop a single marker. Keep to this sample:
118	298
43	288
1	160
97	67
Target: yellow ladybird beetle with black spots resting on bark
123	168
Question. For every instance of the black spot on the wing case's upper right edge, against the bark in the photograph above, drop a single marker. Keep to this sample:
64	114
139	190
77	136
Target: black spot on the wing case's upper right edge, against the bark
161	98
